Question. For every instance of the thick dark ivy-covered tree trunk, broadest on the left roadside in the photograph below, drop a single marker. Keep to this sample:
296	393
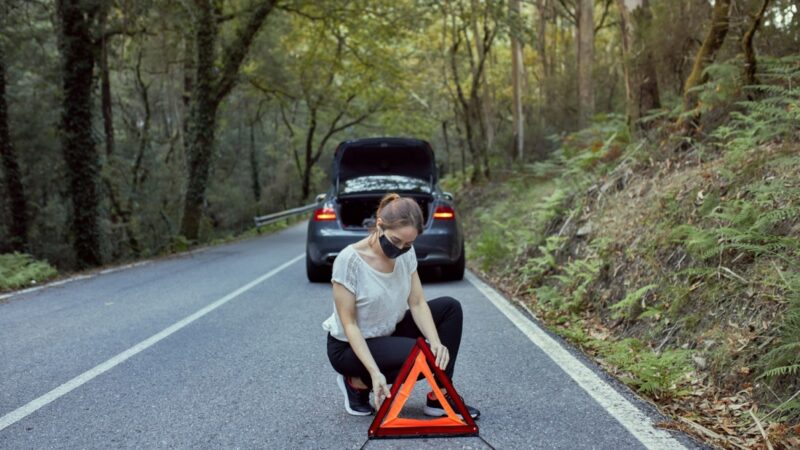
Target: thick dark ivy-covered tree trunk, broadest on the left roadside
78	59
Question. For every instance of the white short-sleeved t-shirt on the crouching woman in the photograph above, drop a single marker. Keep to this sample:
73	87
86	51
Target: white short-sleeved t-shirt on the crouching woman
381	298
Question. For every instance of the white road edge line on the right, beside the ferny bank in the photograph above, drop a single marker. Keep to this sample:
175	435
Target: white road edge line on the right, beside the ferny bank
612	401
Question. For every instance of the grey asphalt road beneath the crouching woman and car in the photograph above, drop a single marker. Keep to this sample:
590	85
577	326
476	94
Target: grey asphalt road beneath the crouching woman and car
223	348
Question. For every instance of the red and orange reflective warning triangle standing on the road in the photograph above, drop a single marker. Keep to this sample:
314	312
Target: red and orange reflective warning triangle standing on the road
387	424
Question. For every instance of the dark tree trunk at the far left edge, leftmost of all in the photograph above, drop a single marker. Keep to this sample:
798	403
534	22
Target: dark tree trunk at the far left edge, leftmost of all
13	177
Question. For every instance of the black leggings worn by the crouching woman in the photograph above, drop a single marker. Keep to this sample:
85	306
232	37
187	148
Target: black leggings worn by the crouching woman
390	352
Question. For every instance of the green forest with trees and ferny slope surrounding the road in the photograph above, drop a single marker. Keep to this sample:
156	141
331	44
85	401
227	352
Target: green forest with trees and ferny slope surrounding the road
136	128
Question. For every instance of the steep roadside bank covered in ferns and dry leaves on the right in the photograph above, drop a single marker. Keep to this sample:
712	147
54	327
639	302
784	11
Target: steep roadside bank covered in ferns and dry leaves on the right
673	261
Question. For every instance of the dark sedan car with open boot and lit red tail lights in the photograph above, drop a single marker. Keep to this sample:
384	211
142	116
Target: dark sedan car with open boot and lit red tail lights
364	170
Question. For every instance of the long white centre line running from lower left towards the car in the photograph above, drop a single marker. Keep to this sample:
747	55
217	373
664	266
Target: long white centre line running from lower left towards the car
23	411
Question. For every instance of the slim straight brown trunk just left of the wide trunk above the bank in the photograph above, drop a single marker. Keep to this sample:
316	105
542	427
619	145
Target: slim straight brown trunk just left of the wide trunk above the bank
585	14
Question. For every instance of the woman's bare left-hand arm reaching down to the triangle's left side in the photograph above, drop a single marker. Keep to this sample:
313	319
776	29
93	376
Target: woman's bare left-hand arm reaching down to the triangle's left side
346	307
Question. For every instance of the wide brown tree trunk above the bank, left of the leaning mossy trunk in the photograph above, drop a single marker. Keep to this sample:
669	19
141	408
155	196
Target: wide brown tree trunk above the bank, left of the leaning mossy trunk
641	82
